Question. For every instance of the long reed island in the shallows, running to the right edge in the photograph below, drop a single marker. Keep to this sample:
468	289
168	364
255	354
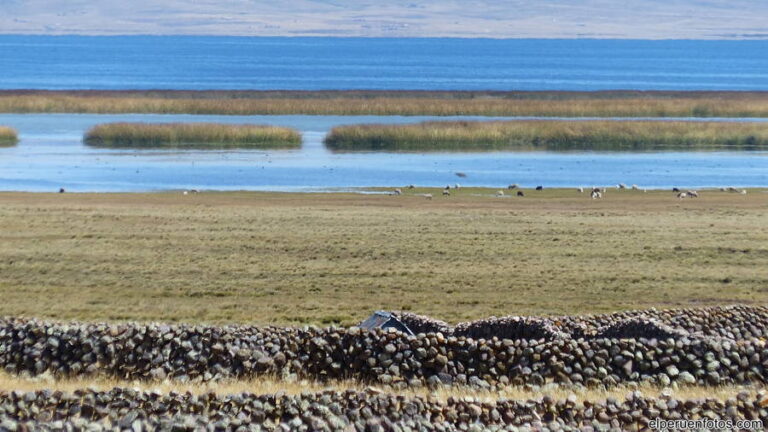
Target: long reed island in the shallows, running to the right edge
549	135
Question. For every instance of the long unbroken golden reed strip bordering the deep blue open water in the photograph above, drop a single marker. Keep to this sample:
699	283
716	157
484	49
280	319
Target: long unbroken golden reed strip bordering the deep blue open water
565	104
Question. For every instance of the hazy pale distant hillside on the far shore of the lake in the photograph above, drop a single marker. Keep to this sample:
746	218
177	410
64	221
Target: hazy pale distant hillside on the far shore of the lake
647	19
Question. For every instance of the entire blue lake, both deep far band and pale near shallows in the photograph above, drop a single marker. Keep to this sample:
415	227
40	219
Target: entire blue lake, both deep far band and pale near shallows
51	154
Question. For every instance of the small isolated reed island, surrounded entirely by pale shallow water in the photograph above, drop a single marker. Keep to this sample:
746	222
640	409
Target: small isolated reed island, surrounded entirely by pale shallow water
191	135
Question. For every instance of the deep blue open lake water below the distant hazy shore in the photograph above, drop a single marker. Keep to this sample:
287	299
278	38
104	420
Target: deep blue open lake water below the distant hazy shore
188	62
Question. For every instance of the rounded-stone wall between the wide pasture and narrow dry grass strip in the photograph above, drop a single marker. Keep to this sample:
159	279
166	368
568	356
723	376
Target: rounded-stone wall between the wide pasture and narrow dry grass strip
487	353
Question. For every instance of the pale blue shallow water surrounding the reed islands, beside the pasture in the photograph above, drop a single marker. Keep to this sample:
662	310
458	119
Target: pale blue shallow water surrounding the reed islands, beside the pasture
51	155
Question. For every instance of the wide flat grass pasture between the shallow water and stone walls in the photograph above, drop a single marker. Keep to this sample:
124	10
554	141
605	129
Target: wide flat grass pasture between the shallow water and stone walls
288	259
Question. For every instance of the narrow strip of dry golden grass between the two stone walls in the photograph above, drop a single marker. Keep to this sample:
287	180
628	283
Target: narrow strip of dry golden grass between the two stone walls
269	385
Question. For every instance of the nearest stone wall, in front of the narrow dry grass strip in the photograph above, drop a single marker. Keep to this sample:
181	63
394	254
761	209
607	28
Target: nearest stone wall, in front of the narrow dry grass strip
125	409
